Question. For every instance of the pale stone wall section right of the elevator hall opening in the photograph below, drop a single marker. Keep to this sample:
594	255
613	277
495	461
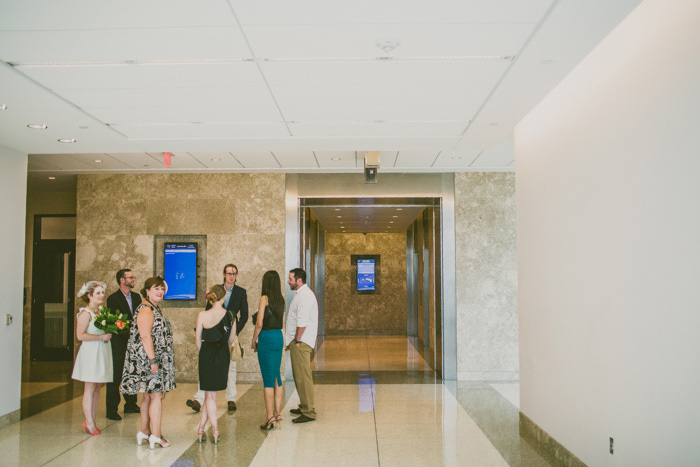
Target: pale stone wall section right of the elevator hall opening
487	279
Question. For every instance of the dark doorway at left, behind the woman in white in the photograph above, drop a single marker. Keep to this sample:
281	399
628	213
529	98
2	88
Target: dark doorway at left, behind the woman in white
53	285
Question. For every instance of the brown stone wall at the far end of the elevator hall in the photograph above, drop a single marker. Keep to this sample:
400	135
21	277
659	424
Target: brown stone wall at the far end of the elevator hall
348	313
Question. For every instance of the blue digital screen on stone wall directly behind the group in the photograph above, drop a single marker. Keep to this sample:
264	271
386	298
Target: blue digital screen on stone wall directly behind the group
180	271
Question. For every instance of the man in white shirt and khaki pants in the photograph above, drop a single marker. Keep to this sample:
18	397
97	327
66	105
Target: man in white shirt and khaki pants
300	340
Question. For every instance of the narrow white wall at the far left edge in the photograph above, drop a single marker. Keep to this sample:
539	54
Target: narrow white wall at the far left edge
13	192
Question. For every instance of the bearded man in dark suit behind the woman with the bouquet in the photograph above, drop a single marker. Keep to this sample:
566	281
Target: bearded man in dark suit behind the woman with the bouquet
126	302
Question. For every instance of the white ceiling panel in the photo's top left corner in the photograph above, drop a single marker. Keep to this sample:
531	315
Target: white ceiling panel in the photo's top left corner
76	14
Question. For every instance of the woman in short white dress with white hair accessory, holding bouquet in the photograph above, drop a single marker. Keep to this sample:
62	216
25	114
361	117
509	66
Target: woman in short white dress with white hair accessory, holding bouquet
93	365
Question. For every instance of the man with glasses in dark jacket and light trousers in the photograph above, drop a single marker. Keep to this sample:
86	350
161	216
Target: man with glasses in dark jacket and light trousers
237	303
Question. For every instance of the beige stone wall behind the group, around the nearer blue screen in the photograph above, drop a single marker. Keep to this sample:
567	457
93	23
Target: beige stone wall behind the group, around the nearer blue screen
242	215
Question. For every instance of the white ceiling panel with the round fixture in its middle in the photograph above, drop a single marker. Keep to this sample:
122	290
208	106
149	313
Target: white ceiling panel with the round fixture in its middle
358	40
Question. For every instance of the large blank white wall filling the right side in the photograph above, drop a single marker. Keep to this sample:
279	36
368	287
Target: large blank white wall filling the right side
608	215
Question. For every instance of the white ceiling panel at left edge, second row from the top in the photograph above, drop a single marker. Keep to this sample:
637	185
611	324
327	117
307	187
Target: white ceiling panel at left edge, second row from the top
123	44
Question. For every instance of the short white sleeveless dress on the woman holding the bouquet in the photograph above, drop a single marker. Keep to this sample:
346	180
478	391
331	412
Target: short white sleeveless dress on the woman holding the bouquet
94	361
